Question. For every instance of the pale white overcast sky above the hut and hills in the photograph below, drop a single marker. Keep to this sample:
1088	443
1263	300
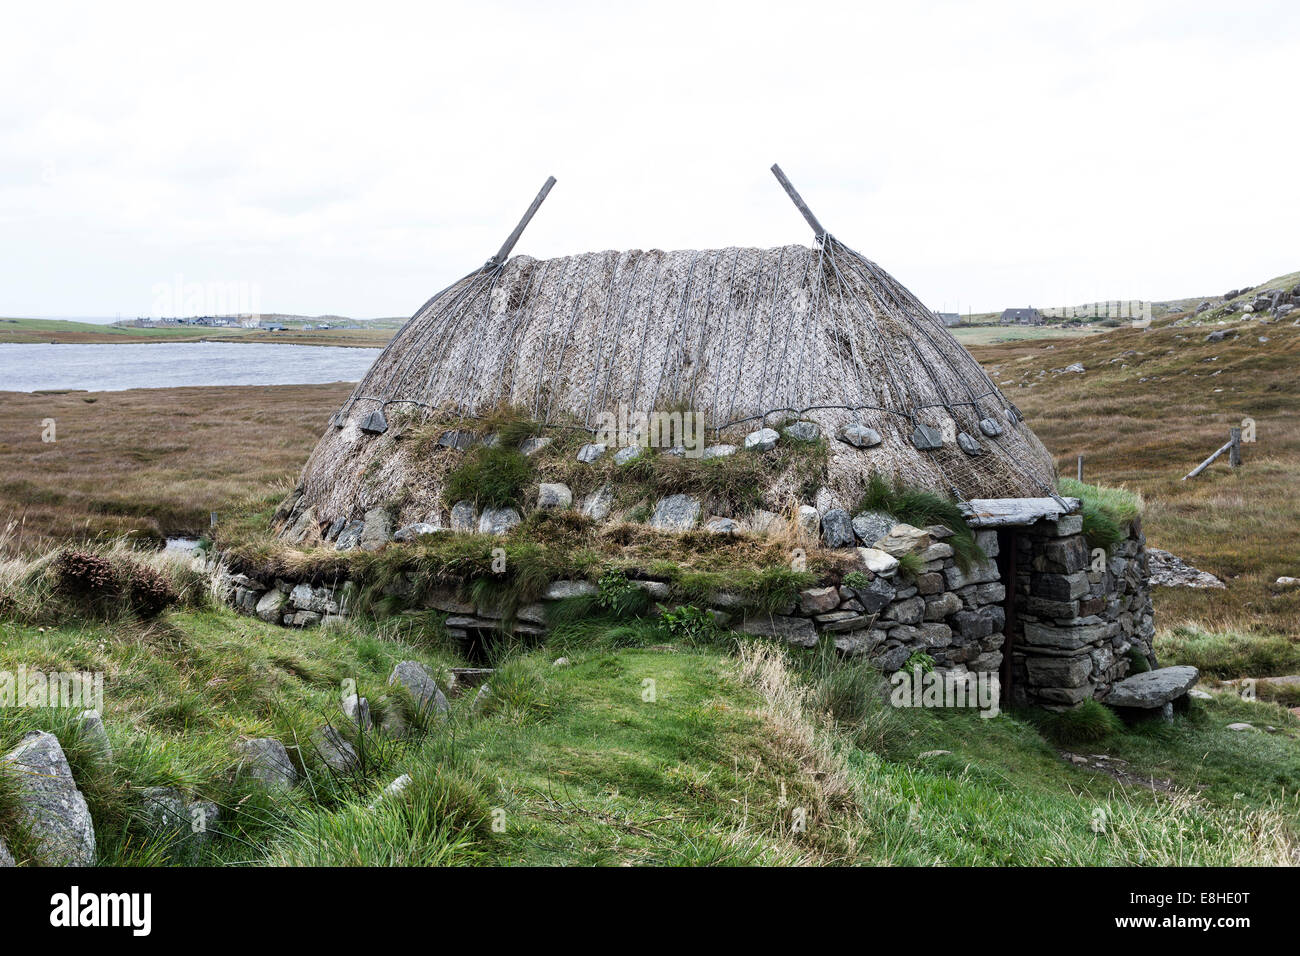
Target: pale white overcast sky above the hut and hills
356	158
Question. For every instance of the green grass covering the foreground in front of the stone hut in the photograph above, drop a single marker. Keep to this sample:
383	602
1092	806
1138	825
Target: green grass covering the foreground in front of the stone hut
644	751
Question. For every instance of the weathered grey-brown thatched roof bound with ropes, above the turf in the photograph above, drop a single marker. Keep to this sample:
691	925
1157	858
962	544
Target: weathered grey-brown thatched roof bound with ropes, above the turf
744	338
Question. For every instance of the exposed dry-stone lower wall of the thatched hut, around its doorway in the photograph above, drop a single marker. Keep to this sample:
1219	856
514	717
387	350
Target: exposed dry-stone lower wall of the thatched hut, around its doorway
1076	626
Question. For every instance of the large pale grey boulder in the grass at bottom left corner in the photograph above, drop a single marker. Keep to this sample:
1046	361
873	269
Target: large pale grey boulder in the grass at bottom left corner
50	806
